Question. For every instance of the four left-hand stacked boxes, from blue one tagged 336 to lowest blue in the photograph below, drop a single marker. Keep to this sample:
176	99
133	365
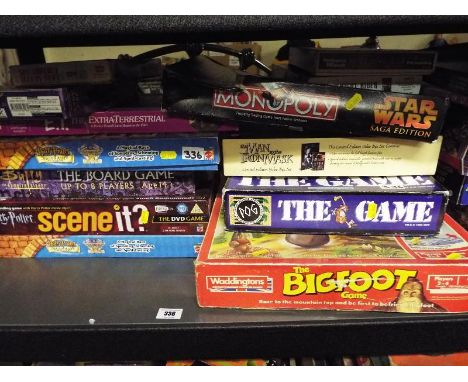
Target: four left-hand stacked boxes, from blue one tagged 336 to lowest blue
106	196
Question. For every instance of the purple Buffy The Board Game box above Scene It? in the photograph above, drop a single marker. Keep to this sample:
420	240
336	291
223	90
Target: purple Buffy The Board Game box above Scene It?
33	185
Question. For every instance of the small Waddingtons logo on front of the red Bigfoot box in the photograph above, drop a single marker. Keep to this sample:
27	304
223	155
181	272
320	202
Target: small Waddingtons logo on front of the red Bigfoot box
259	284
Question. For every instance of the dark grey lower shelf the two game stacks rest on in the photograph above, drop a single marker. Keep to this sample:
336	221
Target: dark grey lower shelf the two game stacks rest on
46	305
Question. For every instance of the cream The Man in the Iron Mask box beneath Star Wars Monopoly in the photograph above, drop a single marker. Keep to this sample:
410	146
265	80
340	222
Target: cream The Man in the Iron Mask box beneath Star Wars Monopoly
329	157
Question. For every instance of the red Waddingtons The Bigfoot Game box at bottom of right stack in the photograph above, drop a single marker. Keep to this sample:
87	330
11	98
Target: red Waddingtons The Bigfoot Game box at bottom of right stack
335	272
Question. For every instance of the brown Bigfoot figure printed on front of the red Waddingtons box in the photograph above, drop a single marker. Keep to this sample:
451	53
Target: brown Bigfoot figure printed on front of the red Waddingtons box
411	299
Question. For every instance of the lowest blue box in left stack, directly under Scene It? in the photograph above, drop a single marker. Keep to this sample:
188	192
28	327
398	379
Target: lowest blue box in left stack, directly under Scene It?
68	246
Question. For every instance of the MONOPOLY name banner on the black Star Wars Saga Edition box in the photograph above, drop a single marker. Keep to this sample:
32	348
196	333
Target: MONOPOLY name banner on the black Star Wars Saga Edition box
311	106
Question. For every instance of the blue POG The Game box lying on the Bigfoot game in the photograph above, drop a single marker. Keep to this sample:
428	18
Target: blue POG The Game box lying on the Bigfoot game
404	205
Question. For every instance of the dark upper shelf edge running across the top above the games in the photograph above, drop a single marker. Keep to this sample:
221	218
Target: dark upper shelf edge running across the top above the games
47	31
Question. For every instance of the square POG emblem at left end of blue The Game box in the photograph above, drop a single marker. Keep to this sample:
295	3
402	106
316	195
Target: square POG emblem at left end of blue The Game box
250	210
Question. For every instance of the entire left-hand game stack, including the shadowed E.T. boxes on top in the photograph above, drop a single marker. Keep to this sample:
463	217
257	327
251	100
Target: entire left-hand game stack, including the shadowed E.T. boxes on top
102	191
